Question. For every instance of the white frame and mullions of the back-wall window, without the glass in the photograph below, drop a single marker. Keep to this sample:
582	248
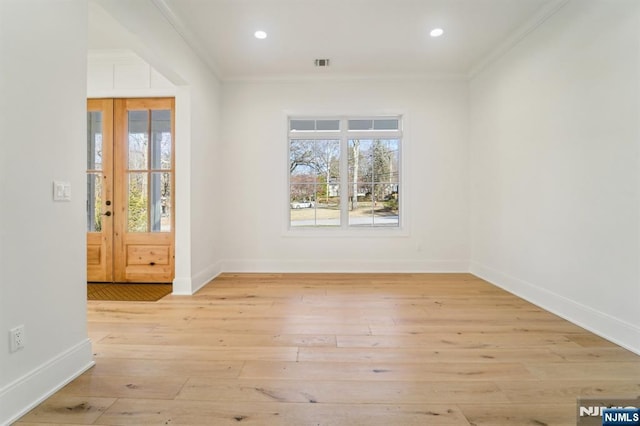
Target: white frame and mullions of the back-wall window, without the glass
344	135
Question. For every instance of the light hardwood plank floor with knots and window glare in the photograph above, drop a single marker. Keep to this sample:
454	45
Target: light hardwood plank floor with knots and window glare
338	349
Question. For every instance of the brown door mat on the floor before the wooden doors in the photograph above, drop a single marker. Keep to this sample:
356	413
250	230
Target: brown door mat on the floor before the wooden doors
128	292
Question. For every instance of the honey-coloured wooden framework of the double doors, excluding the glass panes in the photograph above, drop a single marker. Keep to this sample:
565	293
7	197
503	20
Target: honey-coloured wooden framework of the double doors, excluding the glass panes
111	244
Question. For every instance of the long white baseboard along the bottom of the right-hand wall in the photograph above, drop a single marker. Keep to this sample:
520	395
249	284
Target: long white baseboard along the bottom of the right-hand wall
604	325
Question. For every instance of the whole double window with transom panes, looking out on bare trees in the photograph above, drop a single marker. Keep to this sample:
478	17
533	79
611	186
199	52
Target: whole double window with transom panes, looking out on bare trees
344	173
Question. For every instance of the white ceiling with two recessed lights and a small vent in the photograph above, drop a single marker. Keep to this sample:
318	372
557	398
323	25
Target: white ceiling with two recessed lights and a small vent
360	37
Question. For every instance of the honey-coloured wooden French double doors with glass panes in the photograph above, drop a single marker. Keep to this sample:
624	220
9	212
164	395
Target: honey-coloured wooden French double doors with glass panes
130	190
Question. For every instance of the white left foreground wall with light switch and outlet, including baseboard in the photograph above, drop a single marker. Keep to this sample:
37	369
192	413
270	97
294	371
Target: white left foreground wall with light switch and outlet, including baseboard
42	243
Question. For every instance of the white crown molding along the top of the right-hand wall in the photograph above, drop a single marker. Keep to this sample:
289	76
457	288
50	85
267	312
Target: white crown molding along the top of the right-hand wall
517	36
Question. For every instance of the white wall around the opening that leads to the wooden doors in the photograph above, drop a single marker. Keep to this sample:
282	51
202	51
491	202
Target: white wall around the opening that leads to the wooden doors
141	27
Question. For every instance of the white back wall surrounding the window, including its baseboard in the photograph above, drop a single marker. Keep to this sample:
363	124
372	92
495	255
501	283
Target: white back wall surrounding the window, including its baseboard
435	154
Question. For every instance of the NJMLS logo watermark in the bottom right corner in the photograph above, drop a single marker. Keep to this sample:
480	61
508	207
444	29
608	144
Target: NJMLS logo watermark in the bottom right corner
608	412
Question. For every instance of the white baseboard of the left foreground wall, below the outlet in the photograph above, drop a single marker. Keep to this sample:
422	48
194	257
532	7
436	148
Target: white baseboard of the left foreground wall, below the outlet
25	393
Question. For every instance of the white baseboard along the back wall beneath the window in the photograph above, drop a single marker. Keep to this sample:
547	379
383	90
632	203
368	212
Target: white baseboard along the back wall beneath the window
346	266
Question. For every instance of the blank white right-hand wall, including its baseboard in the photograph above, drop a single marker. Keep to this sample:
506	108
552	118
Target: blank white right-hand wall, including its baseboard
555	172
